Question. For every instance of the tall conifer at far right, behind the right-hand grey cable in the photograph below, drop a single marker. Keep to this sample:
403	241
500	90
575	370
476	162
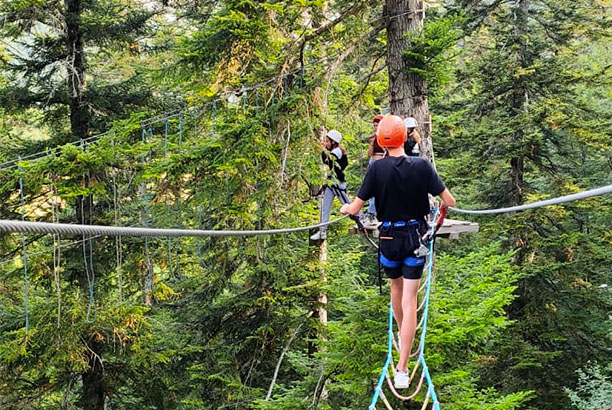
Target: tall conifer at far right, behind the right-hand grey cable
521	121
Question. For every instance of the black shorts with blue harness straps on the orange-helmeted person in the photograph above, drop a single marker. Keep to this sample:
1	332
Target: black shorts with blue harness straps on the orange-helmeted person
398	241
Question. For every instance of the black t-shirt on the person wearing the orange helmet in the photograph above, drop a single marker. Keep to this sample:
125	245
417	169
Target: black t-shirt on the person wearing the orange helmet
400	186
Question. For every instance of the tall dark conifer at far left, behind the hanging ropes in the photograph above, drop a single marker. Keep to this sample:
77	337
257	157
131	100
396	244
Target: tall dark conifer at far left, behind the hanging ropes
60	59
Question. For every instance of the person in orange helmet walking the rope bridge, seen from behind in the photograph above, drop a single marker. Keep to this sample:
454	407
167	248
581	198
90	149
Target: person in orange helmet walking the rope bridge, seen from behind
401	185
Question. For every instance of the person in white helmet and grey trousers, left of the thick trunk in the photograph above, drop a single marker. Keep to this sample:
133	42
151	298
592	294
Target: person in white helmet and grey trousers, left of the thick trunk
337	161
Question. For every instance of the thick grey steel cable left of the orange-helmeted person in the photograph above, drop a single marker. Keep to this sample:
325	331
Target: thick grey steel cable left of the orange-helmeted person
8	226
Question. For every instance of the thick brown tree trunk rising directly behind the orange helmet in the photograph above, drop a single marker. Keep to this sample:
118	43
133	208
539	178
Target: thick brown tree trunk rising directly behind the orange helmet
407	91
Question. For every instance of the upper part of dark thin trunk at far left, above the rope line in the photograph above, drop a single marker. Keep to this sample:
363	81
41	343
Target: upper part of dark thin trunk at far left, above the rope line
79	116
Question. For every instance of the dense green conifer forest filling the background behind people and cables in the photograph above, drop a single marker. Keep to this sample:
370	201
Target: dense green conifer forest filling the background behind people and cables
196	113
